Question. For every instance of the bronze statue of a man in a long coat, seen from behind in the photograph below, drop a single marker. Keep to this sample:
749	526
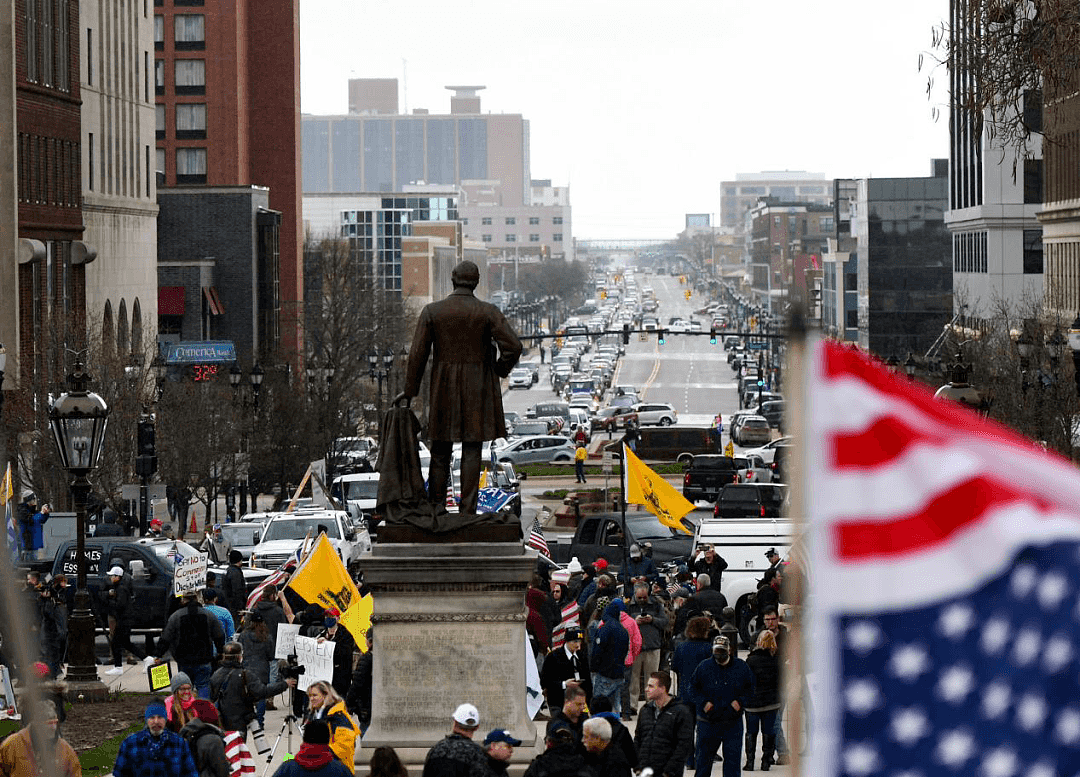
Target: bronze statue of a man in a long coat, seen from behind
472	347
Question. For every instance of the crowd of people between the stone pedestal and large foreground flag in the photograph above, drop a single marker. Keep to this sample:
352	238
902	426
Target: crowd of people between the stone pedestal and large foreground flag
616	648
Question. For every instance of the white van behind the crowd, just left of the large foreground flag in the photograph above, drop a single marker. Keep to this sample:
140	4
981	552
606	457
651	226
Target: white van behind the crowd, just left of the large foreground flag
742	544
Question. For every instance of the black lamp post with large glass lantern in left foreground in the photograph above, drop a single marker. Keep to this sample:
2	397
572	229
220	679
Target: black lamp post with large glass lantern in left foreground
79	419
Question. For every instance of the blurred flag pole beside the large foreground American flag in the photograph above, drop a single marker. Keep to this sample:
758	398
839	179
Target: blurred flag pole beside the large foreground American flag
795	372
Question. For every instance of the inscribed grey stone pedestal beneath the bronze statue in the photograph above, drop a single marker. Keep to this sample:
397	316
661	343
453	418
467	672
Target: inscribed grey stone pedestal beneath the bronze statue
449	628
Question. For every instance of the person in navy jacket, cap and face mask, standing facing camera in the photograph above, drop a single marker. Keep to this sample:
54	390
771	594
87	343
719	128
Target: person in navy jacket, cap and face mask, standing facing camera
723	687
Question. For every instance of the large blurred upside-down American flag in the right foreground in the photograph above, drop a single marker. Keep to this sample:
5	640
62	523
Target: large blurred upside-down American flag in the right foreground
946	567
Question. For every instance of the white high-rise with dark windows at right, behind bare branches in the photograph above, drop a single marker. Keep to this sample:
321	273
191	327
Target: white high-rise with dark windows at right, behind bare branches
997	240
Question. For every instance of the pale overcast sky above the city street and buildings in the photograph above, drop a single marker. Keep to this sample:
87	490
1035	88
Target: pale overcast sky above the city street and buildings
644	108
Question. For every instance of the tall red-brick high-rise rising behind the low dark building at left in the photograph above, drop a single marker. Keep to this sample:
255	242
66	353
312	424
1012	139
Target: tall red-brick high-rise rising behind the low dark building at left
227	78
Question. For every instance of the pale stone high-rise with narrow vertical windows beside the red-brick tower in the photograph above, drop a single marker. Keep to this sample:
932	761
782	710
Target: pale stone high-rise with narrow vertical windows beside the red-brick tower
119	185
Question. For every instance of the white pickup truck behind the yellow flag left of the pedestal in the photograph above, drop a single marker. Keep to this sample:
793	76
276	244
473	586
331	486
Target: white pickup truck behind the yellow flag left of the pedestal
286	531
